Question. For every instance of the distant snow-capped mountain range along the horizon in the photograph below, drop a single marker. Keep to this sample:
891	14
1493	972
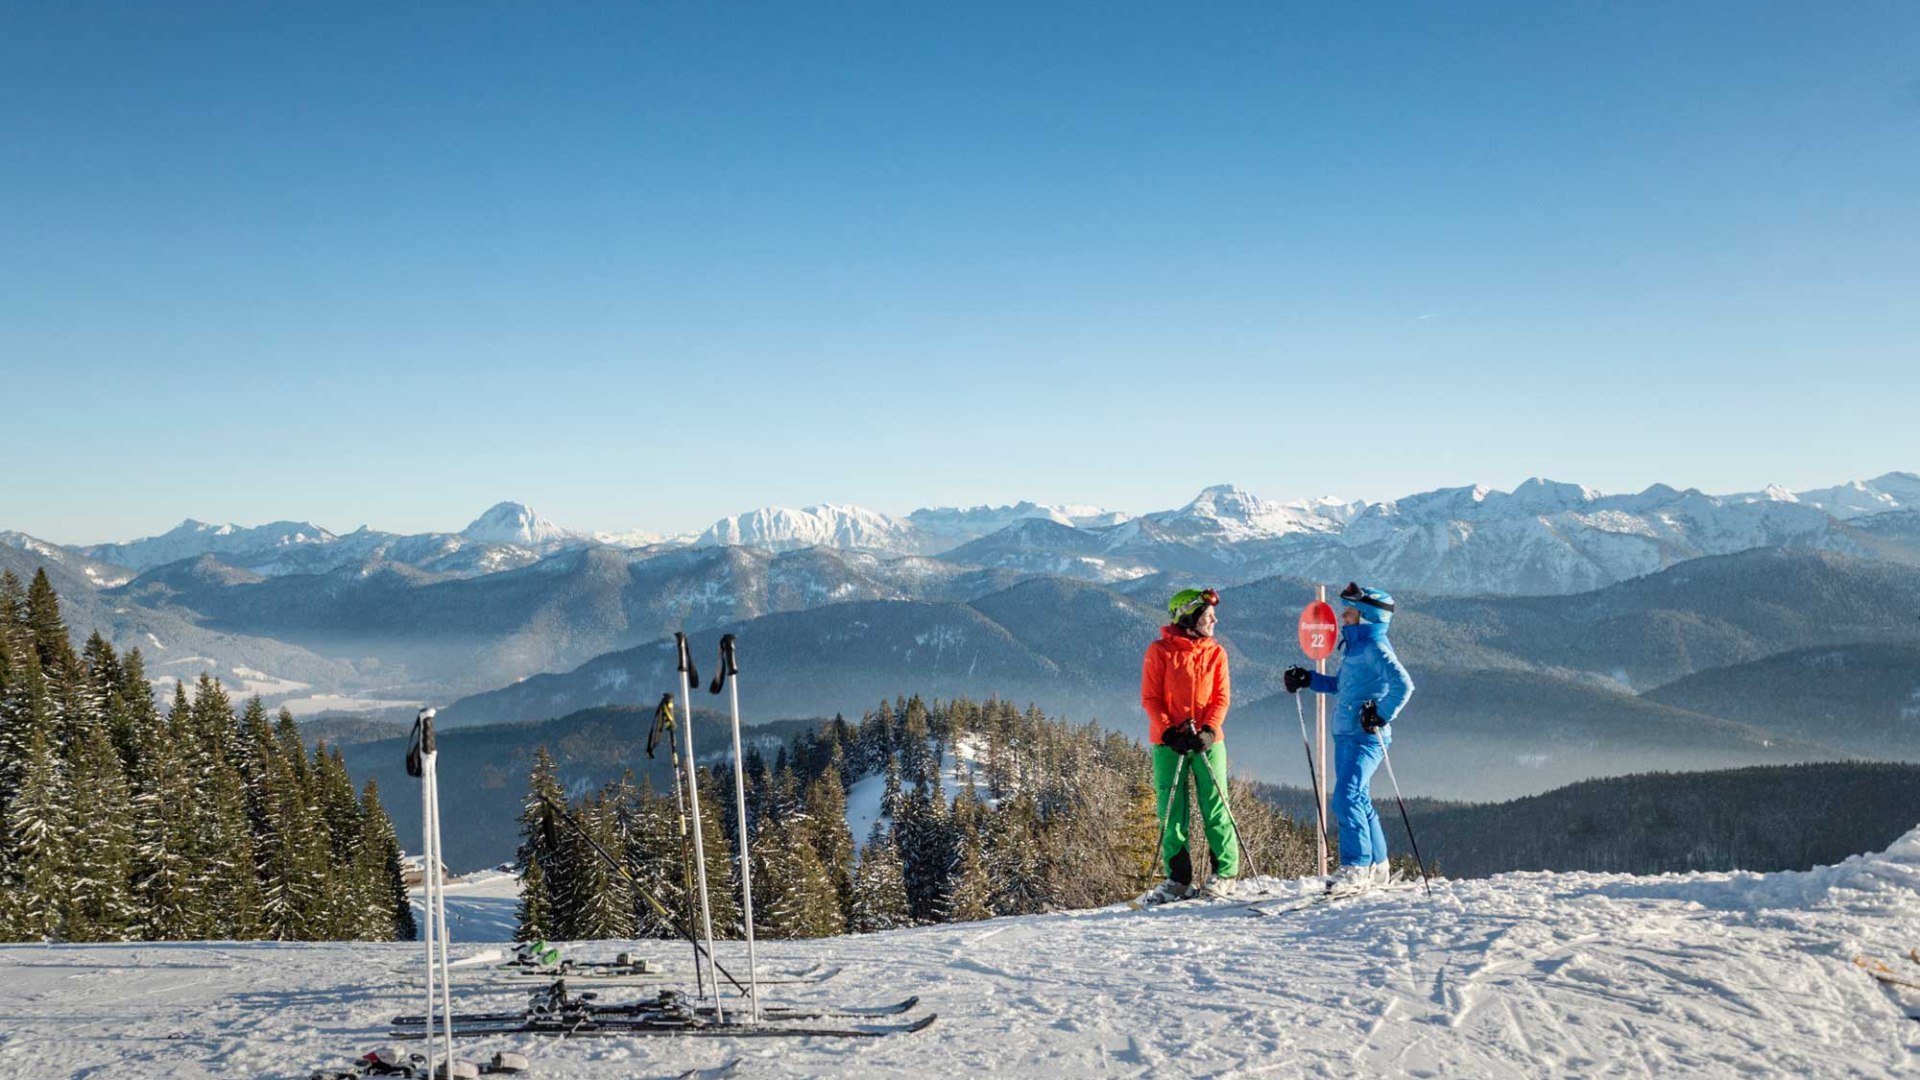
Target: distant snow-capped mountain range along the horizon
1543	537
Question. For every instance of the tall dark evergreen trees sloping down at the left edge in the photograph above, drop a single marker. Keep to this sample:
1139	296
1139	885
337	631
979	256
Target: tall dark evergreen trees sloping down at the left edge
126	823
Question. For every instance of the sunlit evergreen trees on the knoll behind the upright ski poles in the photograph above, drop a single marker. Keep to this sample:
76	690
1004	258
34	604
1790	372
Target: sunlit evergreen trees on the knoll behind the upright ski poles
986	810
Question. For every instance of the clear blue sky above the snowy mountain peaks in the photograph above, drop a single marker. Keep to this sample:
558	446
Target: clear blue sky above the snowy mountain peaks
648	264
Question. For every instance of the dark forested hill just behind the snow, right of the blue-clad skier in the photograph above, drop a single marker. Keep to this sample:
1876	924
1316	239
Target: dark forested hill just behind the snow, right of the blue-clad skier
1740	820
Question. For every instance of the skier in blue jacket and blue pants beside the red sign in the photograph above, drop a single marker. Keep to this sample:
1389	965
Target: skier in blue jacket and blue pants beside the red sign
1370	691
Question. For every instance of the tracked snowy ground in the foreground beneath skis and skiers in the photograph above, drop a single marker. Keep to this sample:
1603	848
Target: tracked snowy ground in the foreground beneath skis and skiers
1524	975
